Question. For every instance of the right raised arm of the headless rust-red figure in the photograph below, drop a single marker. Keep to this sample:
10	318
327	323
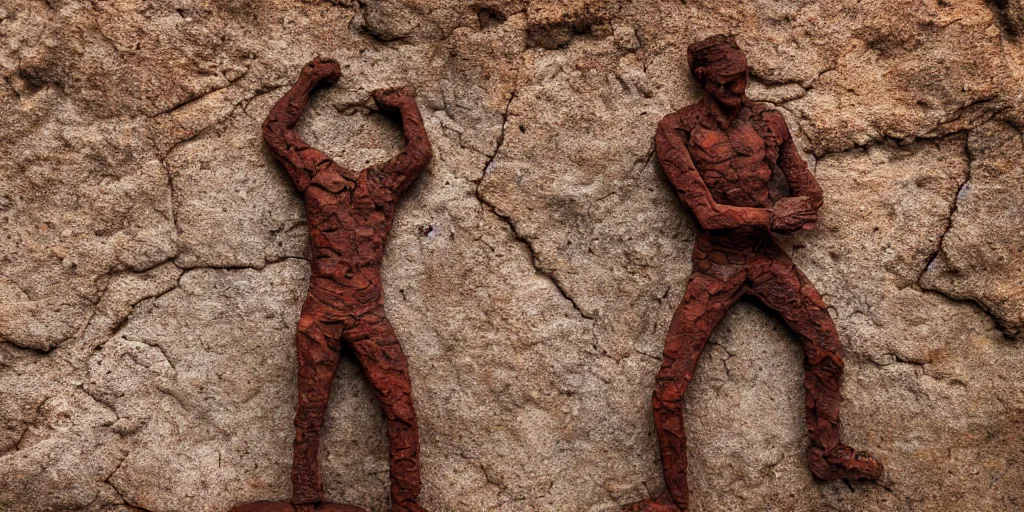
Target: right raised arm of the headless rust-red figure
401	172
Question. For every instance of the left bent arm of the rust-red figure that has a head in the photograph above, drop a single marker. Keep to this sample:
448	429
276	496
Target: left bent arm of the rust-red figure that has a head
693	191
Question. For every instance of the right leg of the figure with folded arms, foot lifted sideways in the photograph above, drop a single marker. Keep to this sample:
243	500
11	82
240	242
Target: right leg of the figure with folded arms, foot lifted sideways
783	287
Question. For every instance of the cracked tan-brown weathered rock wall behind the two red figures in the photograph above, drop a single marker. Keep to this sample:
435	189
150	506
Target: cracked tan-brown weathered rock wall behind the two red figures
152	255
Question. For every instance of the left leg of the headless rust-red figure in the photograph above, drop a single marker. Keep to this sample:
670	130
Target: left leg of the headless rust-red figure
319	358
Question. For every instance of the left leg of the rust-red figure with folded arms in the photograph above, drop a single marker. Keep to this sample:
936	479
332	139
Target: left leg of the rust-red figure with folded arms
705	304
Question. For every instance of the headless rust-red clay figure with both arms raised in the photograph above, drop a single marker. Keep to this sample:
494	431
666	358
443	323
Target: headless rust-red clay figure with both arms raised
350	218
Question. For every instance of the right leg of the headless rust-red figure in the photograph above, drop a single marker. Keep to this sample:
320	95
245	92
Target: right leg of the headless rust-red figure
379	354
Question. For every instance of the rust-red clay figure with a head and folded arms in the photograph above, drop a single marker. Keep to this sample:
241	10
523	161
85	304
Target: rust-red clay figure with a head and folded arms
721	155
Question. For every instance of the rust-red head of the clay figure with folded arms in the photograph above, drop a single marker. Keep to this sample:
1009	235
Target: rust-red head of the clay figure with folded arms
720	67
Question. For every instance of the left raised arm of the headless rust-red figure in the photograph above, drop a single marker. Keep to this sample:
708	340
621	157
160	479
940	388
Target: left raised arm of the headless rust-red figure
300	159
